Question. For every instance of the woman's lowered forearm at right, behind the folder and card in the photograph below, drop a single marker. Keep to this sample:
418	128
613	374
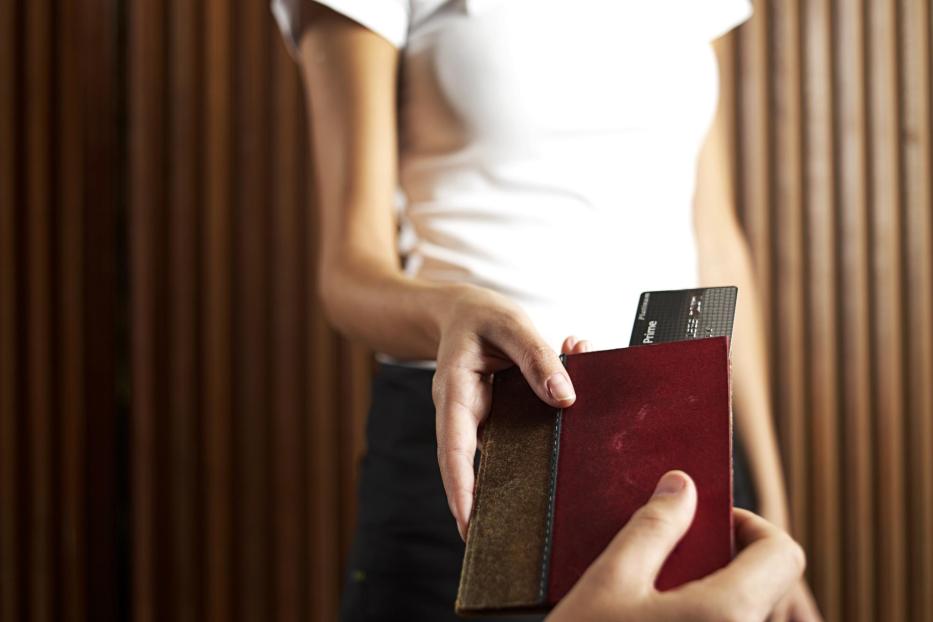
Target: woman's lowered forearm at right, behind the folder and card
728	261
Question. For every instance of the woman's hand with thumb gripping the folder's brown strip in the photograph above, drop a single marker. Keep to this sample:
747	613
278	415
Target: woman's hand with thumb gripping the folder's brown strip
483	332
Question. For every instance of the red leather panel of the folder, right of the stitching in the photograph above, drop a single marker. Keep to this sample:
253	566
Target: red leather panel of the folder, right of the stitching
640	412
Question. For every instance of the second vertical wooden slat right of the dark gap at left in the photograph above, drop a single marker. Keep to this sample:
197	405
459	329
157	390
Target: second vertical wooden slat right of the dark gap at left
184	209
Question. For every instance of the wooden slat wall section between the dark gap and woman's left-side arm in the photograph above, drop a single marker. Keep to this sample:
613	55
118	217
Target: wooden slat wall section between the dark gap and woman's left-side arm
247	409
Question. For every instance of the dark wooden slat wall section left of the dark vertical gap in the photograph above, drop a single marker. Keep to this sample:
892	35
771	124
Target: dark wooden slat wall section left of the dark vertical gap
59	176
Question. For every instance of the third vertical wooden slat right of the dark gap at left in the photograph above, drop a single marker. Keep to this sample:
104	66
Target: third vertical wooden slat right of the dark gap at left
216	314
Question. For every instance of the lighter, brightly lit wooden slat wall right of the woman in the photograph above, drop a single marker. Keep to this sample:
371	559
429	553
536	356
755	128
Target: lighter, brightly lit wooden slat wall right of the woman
834	137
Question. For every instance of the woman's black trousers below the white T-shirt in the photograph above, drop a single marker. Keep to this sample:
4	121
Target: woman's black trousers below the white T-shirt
404	563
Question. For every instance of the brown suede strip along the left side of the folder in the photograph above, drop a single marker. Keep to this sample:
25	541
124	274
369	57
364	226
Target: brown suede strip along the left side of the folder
502	567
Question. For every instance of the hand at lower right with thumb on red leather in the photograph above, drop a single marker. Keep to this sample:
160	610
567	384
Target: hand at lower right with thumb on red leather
619	585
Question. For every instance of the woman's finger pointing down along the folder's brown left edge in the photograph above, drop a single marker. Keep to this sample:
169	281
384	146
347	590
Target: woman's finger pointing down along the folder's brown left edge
462	400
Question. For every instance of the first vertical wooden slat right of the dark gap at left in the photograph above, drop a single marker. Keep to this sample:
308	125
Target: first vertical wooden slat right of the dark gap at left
146	205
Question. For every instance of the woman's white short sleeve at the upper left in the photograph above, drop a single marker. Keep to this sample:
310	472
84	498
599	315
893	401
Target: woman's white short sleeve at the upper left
387	18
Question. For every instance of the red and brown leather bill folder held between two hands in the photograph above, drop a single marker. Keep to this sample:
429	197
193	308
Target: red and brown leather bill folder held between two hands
555	485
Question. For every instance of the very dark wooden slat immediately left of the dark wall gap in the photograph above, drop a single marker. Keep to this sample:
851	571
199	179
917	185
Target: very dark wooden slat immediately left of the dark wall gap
104	170
